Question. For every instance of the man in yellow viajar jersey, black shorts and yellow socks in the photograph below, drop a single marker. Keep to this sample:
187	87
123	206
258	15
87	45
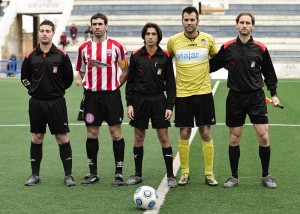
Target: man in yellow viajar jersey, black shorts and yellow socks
194	105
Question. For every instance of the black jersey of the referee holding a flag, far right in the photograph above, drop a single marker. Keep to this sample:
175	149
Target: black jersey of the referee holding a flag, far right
246	63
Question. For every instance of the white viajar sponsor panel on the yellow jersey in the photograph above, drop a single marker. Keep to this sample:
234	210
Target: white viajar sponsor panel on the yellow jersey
192	55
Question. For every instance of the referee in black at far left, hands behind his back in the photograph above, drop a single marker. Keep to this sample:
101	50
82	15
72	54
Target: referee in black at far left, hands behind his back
47	72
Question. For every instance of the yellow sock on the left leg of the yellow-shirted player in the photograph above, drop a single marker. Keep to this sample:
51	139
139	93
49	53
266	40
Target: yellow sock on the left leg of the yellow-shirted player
184	152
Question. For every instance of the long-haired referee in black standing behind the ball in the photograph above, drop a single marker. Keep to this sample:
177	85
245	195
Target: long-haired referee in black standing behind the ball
150	75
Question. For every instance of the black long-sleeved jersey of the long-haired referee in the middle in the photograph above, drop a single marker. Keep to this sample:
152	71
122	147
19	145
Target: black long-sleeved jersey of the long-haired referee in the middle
151	76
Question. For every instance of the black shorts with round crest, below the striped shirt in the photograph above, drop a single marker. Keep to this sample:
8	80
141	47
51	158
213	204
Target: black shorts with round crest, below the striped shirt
103	106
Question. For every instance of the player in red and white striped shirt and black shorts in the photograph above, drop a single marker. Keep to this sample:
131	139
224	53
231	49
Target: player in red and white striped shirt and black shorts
103	66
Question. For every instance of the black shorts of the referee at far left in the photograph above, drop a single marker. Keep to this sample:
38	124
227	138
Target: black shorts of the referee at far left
52	112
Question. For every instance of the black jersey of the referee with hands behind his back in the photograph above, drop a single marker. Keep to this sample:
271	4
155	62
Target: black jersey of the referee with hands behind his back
47	75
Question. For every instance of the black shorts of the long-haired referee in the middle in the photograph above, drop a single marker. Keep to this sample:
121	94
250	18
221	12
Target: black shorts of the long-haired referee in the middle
153	108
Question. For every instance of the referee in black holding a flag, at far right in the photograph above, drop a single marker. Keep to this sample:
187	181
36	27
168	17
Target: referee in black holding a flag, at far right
247	61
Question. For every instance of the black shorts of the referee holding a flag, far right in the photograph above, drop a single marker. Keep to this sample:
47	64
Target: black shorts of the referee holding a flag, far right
238	105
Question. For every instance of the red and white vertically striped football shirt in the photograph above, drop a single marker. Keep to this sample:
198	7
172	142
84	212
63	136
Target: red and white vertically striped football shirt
99	62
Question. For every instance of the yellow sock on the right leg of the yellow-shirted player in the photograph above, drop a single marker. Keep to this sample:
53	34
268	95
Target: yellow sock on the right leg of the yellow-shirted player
208	153
